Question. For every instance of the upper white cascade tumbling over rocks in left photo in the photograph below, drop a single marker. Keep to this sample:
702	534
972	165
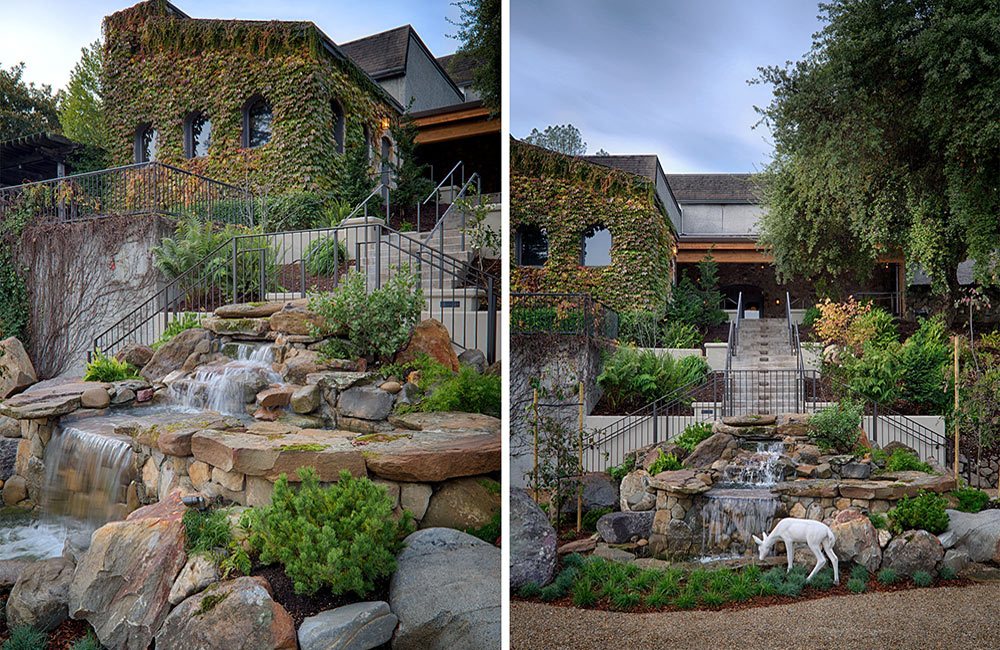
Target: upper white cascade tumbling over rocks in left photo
227	388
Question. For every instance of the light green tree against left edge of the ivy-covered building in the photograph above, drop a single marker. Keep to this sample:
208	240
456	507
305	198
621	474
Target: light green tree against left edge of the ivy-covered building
81	109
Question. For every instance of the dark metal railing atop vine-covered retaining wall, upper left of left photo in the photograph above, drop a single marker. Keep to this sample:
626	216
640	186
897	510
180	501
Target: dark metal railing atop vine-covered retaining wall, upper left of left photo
140	189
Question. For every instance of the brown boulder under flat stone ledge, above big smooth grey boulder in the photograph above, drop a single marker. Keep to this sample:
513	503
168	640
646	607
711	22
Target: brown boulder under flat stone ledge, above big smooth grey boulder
463	503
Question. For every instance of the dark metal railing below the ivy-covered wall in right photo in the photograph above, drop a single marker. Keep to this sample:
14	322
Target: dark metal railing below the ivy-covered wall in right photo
562	313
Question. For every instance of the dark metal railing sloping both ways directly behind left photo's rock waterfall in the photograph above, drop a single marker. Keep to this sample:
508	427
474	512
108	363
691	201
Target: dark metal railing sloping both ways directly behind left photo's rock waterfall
288	265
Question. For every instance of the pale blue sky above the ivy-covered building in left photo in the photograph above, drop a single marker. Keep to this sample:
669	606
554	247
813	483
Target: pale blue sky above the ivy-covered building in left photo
47	34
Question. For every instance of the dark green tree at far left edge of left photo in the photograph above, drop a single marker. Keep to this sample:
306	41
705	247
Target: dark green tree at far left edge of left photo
25	108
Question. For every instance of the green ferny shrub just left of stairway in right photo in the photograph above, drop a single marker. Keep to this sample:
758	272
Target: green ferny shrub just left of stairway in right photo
632	378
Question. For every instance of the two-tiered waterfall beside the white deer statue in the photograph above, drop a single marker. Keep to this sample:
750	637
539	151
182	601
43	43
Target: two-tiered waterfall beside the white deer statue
744	506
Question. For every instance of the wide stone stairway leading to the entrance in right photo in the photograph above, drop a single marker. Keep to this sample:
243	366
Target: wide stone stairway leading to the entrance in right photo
764	378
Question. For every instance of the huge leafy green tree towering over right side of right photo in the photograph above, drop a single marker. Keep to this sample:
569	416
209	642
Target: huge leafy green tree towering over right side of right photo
887	138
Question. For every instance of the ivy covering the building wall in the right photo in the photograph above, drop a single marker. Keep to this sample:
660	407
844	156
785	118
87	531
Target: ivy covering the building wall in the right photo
565	196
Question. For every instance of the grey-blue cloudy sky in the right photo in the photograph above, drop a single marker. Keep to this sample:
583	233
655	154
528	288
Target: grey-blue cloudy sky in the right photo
655	76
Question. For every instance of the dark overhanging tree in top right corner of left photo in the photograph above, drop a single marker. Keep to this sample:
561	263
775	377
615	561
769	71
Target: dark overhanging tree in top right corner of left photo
479	29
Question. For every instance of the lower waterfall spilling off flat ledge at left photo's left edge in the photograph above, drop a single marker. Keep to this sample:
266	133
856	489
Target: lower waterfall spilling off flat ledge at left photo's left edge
86	475
